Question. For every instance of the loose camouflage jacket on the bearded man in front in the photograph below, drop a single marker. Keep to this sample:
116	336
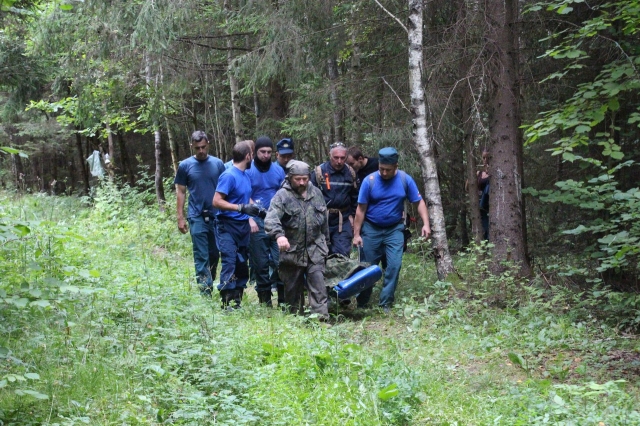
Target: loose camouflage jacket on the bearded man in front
303	221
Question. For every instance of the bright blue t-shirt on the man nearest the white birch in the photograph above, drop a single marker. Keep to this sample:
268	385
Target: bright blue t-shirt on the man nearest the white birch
385	201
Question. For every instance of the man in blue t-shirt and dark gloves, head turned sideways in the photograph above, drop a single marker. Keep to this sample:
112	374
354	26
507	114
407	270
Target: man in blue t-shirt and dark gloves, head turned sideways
231	198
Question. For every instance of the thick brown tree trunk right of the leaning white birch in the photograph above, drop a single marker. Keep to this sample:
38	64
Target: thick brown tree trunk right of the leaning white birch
506	221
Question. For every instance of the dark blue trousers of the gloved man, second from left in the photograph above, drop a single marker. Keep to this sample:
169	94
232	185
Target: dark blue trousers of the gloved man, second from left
232	237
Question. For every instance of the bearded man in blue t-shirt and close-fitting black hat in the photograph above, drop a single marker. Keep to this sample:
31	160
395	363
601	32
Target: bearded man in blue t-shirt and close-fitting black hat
266	178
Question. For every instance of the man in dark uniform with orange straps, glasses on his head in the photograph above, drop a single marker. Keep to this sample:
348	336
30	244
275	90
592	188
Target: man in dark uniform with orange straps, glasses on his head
338	183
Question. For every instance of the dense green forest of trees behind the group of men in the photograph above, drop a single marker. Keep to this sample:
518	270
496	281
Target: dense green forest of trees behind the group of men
550	89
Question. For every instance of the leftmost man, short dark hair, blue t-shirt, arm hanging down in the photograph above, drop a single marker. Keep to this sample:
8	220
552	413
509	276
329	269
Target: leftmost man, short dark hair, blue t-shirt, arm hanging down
199	174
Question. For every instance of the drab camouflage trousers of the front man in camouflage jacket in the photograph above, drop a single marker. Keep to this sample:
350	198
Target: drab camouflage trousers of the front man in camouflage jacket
293	278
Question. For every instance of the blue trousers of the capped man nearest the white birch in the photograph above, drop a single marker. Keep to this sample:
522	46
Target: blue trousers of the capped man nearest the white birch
376	241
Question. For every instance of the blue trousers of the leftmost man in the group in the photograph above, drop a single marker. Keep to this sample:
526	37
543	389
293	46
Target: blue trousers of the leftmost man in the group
205	251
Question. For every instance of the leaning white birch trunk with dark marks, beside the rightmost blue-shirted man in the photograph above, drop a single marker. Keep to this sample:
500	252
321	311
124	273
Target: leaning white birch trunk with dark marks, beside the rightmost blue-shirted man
424	144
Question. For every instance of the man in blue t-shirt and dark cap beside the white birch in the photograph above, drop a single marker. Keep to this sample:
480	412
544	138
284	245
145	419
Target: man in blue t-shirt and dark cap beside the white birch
379	223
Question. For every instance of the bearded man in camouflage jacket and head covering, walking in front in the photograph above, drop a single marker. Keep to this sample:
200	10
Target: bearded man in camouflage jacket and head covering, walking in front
297	220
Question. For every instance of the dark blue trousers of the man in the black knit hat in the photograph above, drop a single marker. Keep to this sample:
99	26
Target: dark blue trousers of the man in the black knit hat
264	254
